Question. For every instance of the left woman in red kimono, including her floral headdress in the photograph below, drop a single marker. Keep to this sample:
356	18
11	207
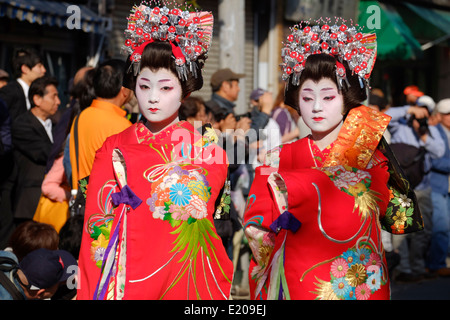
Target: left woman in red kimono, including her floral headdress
155	188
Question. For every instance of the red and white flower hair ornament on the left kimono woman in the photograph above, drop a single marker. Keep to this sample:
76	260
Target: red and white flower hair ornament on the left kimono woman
189	33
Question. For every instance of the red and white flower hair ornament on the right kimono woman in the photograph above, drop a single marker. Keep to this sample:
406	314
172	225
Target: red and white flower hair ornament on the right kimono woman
343	42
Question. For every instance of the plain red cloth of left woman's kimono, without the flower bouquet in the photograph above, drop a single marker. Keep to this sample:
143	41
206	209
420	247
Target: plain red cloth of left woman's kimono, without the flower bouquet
150	241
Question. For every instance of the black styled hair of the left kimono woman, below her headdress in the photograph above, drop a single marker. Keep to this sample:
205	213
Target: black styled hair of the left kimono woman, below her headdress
158	55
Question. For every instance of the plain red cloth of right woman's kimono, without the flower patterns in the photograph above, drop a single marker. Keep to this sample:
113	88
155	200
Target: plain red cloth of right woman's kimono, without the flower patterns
308	253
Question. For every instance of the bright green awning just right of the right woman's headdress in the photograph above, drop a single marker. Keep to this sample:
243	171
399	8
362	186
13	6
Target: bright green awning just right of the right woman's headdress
395	41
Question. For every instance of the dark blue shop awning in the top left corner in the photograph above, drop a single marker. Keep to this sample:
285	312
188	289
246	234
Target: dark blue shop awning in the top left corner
52	13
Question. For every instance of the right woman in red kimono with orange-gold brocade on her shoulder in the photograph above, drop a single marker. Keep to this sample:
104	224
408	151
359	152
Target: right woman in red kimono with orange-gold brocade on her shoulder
328	192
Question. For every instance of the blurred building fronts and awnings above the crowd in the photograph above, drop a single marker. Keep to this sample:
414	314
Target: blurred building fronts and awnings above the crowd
413	38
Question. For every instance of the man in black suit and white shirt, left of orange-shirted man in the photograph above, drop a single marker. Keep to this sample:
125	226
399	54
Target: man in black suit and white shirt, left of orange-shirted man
32	140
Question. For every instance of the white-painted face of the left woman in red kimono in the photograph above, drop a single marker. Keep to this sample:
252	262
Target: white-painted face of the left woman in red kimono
159	97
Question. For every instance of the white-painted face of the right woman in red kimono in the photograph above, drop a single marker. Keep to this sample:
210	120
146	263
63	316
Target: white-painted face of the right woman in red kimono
321	107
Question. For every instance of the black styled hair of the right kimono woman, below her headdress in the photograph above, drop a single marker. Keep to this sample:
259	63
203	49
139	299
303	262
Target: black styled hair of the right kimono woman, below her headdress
320	66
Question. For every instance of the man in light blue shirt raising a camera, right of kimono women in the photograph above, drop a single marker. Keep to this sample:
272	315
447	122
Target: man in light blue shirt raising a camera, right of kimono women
413	139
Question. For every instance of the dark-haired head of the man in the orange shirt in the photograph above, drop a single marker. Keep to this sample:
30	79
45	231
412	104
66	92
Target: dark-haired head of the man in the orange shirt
108	78
